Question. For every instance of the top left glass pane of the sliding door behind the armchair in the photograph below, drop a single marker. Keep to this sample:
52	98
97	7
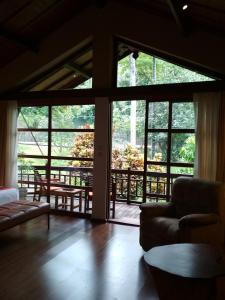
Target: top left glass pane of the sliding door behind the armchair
158	115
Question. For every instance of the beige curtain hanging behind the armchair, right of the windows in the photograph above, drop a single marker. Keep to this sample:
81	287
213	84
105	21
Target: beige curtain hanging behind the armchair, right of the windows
207	117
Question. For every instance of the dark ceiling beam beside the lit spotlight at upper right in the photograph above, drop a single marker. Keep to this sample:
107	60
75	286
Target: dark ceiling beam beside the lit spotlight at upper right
179	15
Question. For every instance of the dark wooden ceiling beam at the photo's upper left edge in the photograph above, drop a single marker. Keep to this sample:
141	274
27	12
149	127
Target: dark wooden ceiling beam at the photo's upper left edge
19	40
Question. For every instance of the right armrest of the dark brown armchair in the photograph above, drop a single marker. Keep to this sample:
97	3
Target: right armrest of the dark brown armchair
195	220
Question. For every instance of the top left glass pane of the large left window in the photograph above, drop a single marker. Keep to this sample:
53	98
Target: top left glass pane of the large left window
33	117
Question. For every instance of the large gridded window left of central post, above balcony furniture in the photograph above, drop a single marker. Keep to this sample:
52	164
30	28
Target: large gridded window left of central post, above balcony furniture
56	141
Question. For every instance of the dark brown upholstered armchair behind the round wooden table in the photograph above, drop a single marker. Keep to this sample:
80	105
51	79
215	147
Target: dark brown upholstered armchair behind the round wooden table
194	214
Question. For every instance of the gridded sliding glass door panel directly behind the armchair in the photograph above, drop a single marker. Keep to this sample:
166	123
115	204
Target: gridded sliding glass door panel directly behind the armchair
170	145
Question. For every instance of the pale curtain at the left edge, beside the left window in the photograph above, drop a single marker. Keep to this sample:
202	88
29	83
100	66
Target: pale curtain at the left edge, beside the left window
11	145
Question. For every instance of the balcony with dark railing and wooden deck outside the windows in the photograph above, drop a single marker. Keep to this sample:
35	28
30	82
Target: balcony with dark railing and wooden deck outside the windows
129	187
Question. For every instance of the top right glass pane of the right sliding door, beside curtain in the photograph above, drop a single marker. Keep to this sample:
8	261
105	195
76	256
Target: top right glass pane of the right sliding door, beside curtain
183	116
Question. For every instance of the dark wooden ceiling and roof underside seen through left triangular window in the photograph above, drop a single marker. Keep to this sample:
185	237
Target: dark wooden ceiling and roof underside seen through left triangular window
25	23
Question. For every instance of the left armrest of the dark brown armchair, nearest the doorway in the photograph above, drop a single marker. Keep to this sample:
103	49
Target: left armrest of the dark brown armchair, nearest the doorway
152	210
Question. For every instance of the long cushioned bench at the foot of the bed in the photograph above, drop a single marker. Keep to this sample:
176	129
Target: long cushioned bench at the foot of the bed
17	212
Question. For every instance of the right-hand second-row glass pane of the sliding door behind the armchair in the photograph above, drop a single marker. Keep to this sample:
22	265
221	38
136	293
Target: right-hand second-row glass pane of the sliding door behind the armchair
183	147
